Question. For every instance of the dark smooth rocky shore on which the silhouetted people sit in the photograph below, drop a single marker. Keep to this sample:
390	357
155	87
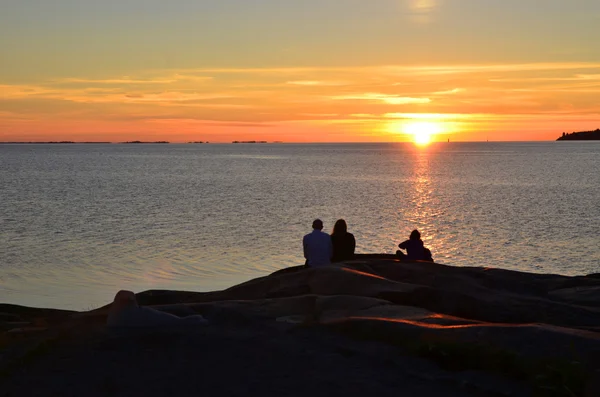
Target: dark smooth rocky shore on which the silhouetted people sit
371	326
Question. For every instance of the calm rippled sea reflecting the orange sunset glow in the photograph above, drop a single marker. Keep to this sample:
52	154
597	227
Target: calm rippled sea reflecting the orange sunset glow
79	222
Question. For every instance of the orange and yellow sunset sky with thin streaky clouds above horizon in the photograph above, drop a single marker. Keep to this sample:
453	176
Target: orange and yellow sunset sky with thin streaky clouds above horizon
298	70
